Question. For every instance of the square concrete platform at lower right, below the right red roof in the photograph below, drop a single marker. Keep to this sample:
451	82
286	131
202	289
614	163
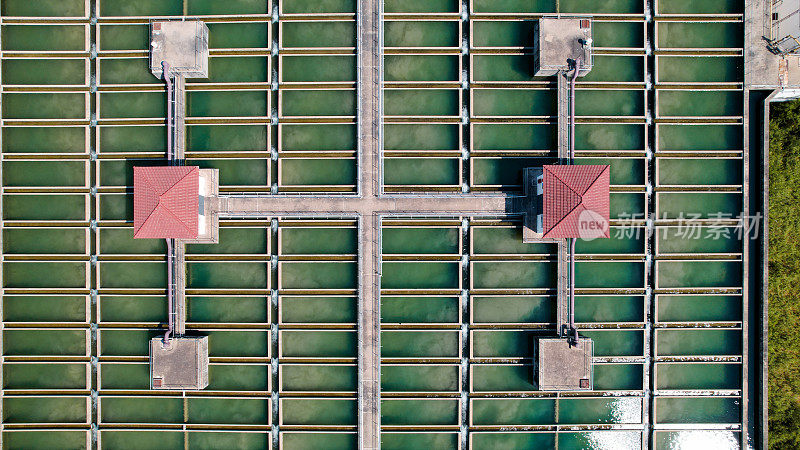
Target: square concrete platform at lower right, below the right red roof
562	367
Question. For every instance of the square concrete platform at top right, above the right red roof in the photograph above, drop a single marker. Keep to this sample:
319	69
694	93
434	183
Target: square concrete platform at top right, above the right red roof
559	42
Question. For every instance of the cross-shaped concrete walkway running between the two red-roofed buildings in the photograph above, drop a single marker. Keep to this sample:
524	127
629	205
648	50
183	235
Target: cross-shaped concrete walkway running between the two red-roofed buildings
368	206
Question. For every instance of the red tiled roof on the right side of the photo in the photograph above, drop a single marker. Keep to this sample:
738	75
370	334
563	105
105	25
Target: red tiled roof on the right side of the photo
571	190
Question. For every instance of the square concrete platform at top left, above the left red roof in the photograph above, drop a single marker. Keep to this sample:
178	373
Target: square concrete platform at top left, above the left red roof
182	44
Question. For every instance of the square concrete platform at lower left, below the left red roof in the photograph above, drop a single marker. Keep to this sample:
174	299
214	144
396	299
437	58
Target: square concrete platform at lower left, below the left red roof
181	365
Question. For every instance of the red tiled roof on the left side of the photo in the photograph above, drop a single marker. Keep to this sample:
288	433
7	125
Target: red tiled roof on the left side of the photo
165	202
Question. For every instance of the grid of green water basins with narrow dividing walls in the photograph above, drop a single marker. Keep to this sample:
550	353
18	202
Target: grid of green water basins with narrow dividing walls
460	305
